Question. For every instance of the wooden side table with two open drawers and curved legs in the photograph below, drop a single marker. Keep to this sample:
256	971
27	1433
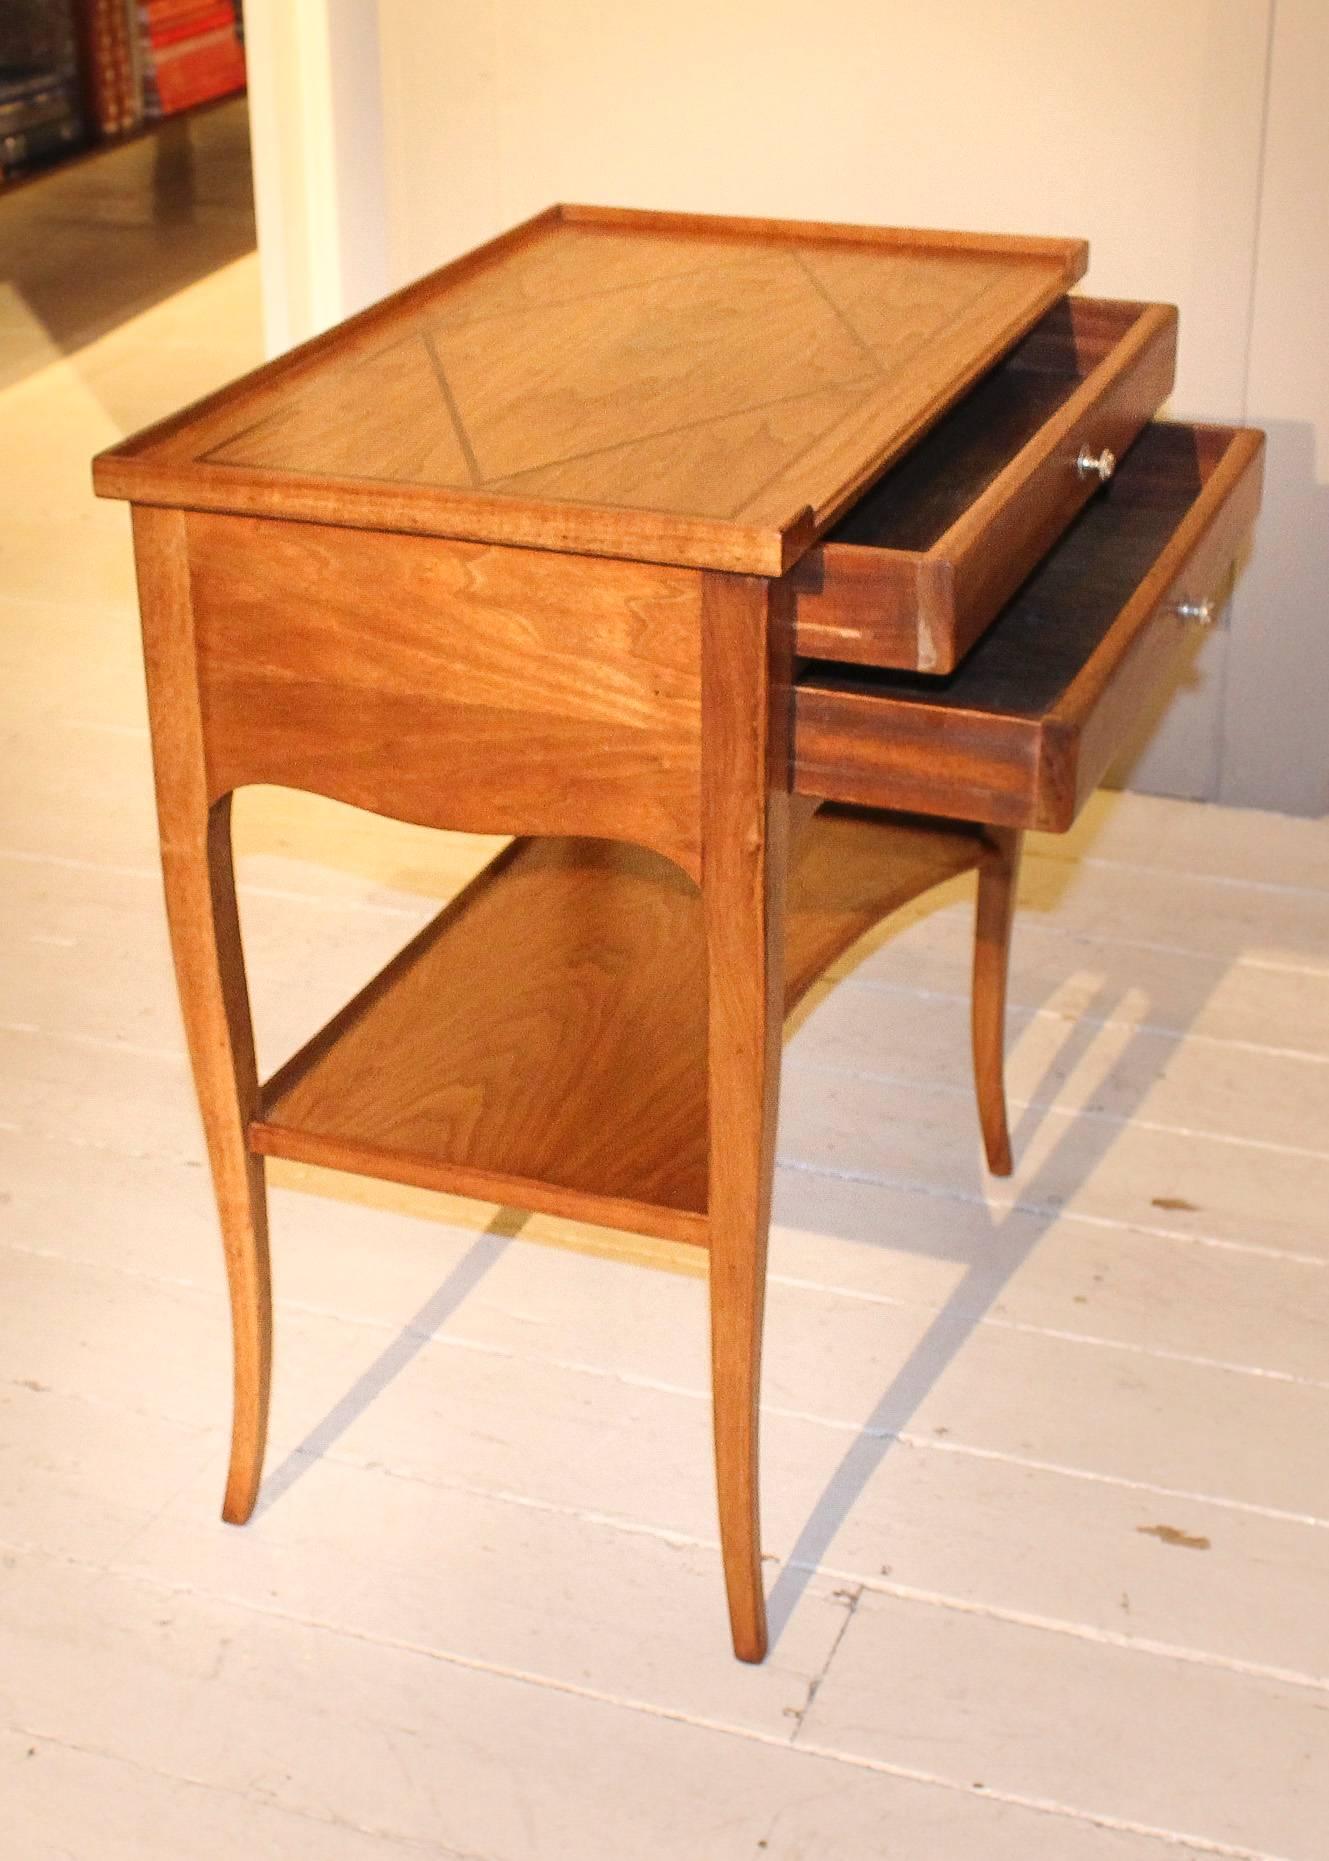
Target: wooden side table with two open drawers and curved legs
636	537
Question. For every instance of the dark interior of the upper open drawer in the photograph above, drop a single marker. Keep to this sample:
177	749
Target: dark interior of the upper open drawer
922	498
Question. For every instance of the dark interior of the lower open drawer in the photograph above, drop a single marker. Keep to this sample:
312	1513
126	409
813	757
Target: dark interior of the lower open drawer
1049	632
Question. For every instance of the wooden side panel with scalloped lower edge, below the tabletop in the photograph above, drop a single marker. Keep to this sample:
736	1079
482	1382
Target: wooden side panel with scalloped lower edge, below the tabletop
451	684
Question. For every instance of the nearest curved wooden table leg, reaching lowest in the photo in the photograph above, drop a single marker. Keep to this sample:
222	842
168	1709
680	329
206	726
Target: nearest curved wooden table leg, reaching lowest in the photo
745	833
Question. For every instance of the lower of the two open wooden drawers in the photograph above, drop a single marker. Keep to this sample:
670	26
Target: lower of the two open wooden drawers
1028	725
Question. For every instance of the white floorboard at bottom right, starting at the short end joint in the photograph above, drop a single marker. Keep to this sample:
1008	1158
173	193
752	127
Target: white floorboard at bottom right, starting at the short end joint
1241	1761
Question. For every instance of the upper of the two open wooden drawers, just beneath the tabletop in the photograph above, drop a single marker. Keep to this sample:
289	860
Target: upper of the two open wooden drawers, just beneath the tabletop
924	561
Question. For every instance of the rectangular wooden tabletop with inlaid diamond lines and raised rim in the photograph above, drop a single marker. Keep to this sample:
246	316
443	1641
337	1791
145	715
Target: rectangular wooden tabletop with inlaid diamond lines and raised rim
719	373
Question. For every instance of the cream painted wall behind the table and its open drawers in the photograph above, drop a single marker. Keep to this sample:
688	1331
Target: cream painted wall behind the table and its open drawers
1187	142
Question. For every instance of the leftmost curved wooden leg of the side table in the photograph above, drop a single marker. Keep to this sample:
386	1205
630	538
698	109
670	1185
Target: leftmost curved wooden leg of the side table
209	971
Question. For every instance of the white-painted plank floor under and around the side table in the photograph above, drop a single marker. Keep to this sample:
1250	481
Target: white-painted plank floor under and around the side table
1047	1482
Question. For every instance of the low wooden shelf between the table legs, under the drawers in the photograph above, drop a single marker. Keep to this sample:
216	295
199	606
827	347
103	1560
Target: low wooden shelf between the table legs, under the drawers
543	1041
